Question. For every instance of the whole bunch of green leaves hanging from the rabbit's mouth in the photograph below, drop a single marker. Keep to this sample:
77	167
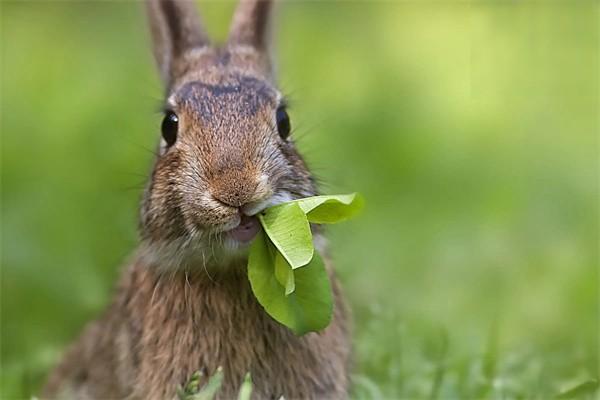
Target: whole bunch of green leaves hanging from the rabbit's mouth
287	275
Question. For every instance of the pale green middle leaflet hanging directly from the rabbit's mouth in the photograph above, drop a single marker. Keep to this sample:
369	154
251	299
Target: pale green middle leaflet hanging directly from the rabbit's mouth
289	230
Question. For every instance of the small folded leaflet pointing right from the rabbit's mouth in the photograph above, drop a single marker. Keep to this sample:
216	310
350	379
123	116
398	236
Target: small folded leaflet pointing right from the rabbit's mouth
331	209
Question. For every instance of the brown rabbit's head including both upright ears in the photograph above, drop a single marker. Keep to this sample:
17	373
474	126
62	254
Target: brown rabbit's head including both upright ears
225	152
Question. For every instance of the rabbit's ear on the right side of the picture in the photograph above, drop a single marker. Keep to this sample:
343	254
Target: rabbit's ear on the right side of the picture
250	24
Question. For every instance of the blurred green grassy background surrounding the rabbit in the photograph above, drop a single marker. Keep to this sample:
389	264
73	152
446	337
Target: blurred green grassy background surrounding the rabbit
470	127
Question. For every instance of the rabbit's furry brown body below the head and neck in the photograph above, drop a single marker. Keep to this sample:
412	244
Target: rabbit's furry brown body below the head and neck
162	328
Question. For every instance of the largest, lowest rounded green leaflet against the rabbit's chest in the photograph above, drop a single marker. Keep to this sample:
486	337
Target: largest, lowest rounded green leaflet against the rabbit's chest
308	308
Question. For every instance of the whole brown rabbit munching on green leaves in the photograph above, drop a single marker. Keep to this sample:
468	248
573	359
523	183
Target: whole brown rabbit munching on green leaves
184	302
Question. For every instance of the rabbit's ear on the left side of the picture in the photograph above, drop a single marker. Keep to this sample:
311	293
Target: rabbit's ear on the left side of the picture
176	28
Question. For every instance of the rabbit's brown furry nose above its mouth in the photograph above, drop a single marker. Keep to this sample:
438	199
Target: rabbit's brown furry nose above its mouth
234	188
